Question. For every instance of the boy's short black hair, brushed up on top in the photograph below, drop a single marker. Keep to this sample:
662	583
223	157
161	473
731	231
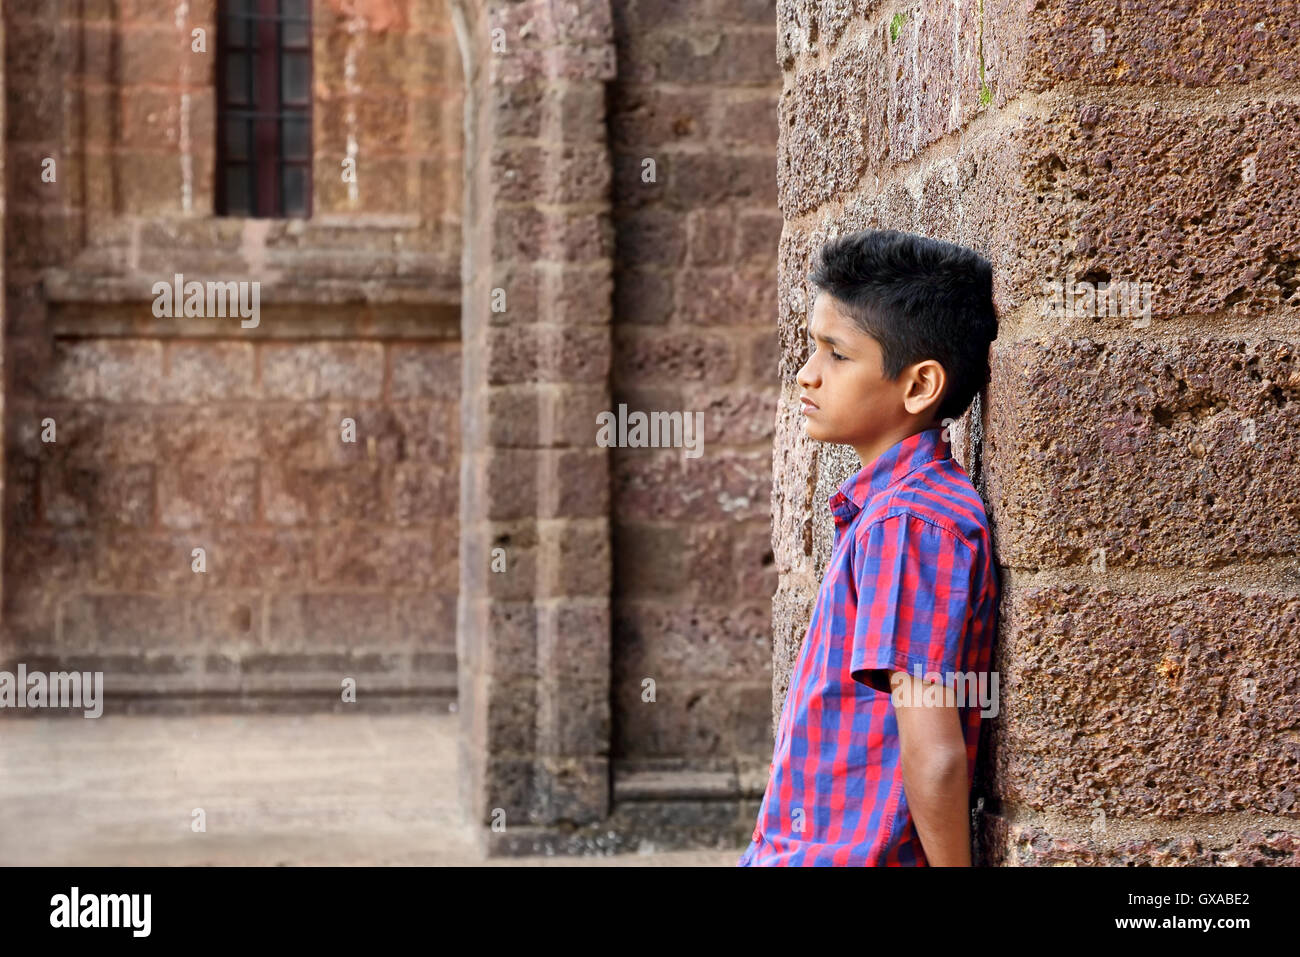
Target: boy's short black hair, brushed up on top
920	298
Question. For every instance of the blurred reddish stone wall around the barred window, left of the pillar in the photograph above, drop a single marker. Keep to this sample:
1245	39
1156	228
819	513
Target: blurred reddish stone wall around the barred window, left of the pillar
324	557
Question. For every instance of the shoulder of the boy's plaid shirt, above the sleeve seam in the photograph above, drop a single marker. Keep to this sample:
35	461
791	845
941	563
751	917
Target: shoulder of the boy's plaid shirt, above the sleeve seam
939	493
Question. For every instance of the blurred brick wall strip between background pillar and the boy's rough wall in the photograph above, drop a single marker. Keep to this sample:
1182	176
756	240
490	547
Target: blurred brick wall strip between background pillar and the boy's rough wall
694	331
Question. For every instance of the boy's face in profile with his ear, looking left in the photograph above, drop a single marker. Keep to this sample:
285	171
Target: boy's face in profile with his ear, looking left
853	404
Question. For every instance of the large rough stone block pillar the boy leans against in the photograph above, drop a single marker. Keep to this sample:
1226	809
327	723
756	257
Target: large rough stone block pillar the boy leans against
1139	465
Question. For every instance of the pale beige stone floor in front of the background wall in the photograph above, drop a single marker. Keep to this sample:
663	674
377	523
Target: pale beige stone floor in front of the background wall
293	790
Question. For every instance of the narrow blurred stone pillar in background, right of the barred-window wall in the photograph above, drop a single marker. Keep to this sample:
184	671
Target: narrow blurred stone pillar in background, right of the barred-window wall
534	618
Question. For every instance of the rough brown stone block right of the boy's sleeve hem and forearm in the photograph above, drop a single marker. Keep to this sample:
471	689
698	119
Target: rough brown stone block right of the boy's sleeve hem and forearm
1158	704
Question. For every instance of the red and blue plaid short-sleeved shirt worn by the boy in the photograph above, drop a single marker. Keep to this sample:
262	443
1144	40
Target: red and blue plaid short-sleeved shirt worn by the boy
911	582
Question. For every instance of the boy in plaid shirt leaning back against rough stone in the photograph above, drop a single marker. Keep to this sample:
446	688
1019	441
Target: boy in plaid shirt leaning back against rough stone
864	773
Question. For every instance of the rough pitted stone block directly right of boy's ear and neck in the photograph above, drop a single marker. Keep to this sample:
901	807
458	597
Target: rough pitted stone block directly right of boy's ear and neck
1159	454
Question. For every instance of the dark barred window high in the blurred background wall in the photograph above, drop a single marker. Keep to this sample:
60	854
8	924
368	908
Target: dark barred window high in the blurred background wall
265	109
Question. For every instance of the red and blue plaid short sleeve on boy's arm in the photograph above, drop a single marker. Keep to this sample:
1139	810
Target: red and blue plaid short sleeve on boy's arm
915	583
